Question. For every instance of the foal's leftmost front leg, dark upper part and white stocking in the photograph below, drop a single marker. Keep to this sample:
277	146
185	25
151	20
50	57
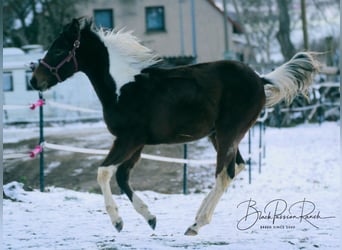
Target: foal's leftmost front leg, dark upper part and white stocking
118	153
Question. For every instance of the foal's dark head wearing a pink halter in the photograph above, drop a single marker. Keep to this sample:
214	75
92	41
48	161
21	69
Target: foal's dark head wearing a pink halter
60	61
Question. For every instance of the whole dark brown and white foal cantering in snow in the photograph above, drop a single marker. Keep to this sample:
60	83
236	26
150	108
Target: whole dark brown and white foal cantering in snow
144	103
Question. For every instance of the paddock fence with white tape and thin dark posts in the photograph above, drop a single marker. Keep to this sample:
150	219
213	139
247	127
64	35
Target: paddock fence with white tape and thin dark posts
43	144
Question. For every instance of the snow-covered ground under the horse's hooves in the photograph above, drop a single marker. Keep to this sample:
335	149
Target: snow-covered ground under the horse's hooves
302	169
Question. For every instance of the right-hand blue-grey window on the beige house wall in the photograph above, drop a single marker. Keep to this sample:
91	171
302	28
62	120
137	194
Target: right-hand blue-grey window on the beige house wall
155	20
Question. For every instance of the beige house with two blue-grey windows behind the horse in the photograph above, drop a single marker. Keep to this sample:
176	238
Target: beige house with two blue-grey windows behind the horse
166	26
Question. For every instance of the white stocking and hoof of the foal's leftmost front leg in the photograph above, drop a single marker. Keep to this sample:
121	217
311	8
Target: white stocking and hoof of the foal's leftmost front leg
104	174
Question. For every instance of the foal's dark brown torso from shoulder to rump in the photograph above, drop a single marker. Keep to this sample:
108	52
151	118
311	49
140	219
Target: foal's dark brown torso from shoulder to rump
186	103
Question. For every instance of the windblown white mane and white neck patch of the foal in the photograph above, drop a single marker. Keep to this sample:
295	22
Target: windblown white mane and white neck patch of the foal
127	57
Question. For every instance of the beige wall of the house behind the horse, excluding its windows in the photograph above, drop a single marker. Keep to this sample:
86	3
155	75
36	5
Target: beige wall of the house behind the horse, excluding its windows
209	25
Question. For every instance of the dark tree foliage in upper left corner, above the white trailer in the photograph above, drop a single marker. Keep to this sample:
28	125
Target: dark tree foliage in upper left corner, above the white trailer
35	21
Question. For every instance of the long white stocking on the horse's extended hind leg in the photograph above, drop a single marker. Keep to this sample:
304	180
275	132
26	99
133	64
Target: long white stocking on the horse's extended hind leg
209	203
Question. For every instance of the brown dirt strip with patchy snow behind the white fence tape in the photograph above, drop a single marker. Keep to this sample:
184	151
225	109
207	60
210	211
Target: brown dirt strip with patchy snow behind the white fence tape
78	171
